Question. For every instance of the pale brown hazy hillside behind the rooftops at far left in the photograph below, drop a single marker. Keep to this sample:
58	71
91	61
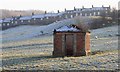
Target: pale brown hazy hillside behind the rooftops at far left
9	13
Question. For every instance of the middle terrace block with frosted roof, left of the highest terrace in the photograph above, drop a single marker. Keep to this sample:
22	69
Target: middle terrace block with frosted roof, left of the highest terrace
44	19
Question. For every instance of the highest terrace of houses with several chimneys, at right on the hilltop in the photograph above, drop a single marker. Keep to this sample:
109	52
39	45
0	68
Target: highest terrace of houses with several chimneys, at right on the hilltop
94	11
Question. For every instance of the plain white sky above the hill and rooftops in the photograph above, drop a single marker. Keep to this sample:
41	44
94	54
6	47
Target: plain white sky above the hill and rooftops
54	5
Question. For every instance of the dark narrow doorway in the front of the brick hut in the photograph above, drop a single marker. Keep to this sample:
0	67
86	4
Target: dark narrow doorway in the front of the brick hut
69	39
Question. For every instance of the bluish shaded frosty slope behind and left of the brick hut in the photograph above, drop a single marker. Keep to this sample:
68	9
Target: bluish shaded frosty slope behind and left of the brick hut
28	31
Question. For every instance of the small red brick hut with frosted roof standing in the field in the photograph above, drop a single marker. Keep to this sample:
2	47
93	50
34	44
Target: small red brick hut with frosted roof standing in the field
71	41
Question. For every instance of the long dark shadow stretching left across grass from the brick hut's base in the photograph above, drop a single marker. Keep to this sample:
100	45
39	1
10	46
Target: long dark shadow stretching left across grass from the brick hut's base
16	61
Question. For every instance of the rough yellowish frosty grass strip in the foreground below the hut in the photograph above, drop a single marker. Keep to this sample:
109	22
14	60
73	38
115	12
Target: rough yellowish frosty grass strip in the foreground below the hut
106	61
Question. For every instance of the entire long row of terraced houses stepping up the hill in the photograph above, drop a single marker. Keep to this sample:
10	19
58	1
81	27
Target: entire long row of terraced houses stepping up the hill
47	18
